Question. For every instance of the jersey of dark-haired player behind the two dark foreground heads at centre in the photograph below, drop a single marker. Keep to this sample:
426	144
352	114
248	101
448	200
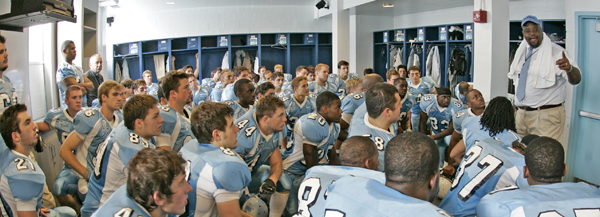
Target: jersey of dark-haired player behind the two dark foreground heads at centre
362	127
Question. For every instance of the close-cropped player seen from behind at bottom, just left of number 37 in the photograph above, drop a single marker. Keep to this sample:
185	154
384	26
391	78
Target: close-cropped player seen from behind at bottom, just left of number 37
411	174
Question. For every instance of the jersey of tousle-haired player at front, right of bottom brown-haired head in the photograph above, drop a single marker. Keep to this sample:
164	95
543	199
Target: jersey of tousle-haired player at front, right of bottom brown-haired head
215	173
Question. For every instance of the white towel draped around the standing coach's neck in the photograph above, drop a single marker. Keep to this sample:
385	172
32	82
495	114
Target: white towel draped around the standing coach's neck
543	68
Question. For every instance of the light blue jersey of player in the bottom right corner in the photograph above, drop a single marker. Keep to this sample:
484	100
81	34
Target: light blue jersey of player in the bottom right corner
559	199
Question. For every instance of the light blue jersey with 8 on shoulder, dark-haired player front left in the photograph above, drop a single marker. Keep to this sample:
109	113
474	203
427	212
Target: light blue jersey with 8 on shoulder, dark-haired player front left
110	171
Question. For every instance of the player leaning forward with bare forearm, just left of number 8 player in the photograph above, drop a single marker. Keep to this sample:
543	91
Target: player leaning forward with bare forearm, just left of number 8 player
92	126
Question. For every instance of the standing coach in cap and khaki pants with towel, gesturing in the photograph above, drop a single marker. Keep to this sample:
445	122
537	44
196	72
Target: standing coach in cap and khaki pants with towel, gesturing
540	71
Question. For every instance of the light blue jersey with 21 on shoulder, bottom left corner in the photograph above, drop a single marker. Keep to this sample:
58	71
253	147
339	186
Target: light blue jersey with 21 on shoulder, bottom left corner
21	184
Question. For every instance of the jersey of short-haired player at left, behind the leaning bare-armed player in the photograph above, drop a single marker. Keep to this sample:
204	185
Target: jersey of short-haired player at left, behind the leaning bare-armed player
60	120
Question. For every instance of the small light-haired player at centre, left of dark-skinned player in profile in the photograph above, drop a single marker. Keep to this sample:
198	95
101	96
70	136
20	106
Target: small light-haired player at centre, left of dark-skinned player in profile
299	103
